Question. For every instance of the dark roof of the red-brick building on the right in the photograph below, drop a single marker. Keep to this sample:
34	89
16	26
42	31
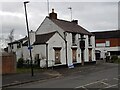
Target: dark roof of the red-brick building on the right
107	34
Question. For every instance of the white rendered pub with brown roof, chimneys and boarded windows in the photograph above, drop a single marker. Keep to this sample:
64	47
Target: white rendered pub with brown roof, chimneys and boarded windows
60	42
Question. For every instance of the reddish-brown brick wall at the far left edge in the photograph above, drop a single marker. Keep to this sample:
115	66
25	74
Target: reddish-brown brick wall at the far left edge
8	63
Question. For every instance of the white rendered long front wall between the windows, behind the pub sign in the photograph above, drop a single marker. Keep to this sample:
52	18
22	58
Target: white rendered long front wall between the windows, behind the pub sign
86	51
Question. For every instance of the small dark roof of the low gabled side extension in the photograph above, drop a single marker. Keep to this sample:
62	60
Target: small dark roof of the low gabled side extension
43	38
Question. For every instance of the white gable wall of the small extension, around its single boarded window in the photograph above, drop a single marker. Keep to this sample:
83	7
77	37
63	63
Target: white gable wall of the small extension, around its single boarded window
56	41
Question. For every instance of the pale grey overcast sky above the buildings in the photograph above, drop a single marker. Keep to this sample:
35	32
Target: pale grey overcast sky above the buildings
93	16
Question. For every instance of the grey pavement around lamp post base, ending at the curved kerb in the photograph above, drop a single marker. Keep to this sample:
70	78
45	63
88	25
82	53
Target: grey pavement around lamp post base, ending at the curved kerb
22	78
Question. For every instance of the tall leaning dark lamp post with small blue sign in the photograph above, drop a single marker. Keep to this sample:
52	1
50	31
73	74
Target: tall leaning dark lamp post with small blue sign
29	46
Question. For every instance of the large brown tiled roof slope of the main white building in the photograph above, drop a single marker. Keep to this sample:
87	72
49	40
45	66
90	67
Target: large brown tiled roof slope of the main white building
68	26
